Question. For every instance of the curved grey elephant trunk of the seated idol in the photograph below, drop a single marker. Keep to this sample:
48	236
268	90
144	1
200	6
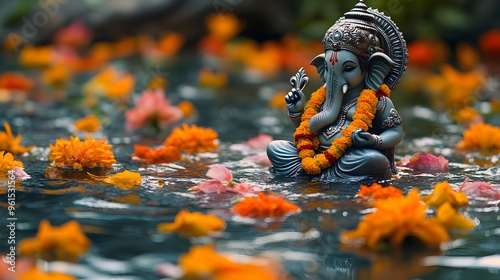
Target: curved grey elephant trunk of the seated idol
331	108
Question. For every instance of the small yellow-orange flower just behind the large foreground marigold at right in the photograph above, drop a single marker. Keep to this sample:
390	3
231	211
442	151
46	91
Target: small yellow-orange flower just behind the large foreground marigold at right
444	193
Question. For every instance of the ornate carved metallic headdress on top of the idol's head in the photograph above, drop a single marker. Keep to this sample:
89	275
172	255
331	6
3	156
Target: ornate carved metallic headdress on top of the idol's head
364	31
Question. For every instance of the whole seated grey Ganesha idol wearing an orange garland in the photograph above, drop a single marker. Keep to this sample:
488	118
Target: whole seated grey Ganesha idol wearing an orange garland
348	129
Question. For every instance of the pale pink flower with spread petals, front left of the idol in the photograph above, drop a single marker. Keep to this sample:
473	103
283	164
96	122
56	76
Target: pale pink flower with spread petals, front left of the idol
222	181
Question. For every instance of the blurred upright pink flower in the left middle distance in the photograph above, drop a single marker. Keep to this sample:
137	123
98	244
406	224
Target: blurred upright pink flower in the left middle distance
154	109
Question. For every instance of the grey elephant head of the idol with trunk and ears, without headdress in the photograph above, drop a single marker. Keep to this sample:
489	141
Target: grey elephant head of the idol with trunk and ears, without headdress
345	75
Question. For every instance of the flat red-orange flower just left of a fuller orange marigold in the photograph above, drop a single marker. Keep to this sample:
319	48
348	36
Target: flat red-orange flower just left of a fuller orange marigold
155	155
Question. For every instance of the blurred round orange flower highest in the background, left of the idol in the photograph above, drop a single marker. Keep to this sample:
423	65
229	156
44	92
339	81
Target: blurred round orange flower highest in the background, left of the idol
223	27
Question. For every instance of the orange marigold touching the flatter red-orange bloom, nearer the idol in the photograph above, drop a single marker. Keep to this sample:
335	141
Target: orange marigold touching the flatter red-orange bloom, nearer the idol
193	139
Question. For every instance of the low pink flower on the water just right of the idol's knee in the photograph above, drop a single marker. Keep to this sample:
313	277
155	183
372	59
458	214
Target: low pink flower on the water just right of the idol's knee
420	162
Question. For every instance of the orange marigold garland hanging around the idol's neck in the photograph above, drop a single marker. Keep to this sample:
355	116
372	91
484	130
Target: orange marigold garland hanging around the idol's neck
308	144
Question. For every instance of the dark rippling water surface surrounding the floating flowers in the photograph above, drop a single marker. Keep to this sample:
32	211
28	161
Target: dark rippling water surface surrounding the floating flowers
122	224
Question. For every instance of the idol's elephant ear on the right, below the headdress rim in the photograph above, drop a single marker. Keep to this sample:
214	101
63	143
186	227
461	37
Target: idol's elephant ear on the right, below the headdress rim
378	66
